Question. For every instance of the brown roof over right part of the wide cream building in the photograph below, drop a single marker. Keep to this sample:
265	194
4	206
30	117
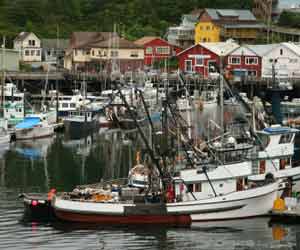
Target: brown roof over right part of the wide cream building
119	43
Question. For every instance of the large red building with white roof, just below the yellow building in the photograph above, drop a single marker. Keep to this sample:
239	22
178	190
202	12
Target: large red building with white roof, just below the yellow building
203	57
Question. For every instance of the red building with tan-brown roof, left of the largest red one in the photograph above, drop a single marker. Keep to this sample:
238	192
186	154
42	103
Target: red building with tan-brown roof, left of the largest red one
156	49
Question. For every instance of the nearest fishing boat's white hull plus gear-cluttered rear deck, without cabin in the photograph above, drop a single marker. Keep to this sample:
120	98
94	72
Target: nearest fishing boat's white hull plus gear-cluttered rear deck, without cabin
108	207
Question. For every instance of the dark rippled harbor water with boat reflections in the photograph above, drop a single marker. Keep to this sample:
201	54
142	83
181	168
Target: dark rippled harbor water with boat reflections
64	161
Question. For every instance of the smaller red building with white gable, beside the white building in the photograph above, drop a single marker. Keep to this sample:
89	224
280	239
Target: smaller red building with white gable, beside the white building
244	62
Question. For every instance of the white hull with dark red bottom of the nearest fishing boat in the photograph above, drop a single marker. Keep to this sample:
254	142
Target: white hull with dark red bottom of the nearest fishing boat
244	204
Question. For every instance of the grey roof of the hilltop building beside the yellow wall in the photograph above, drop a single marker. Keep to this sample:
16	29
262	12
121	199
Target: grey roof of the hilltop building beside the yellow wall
241	15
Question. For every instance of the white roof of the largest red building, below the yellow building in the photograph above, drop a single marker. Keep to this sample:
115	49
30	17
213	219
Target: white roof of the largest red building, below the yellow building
219	48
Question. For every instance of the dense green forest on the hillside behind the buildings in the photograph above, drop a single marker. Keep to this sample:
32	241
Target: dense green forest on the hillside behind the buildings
134	18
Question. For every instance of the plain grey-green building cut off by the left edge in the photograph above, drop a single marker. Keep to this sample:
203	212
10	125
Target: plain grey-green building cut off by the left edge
9	60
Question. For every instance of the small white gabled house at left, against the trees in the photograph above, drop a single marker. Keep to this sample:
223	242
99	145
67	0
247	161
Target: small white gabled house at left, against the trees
29	46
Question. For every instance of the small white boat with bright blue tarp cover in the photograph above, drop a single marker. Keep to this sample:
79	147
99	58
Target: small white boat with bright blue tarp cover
34	126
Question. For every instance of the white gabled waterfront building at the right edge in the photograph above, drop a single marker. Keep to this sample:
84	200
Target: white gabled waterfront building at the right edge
283	57
